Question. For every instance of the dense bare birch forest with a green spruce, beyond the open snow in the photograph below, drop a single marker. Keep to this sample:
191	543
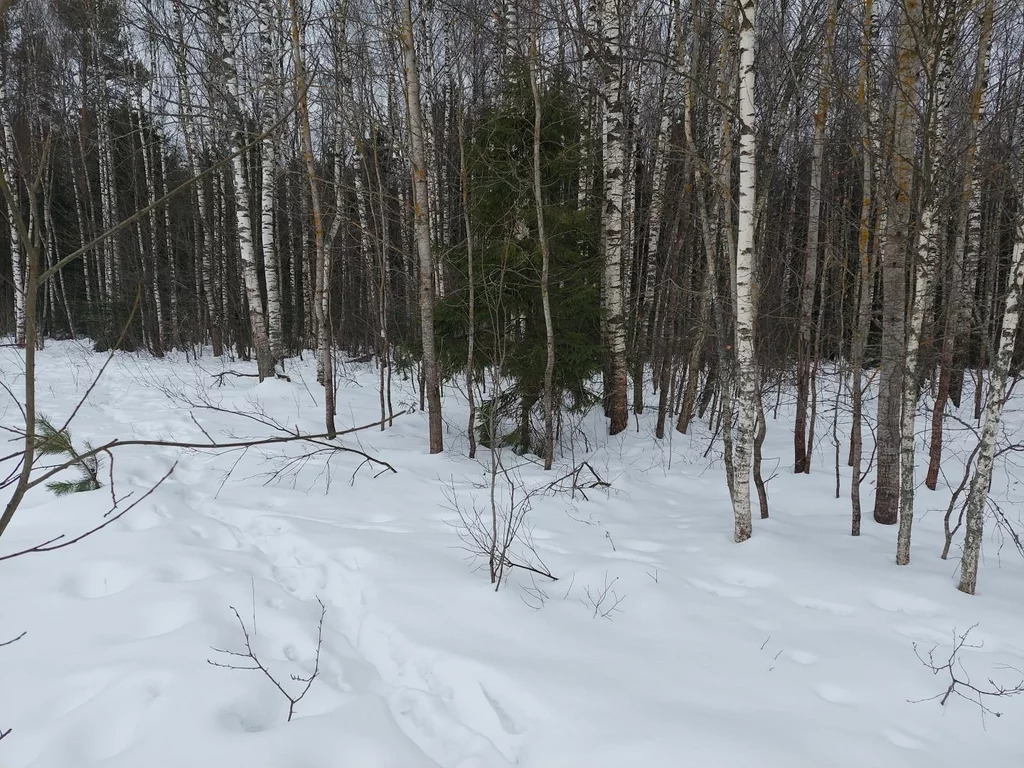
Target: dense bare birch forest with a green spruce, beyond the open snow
674	219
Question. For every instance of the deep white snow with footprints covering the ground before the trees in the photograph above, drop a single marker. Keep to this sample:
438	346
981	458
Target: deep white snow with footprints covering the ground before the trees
796	649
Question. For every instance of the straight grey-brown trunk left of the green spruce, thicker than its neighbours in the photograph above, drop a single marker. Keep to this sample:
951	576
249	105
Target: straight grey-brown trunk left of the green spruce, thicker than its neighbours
421	218
